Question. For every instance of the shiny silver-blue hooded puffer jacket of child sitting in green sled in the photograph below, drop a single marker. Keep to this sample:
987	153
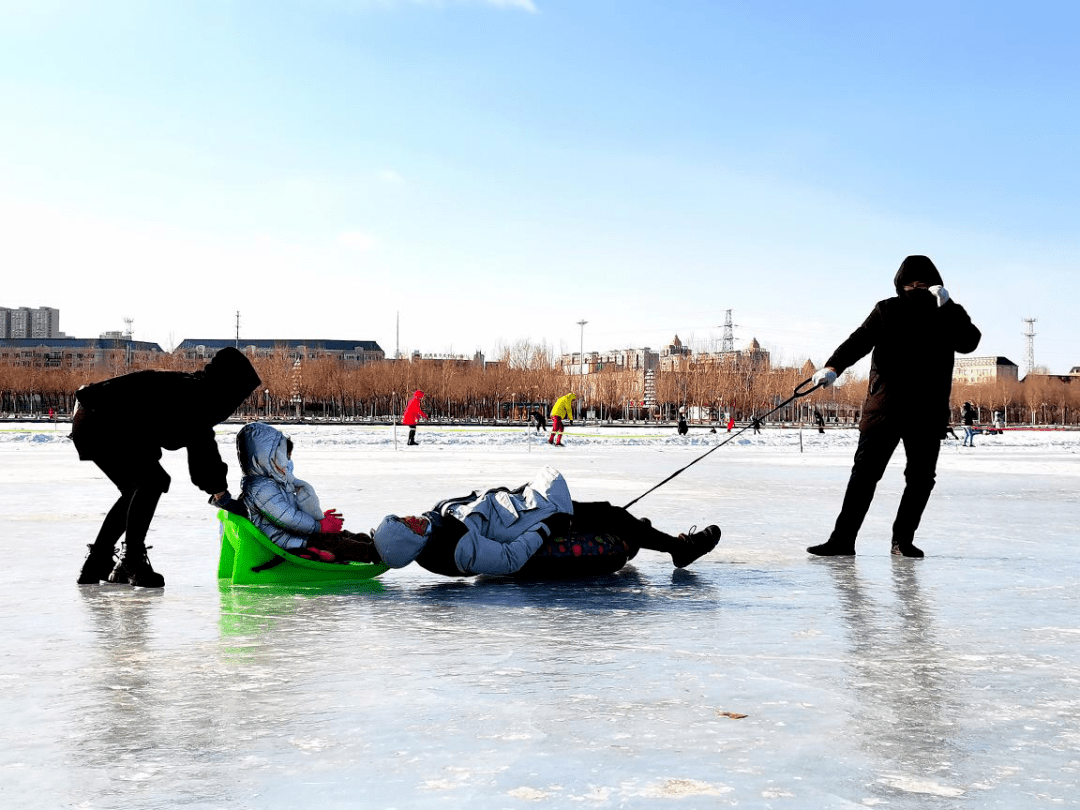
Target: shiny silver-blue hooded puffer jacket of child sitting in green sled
283	507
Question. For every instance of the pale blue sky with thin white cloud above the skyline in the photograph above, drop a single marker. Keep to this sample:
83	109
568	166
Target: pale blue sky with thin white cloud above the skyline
458	175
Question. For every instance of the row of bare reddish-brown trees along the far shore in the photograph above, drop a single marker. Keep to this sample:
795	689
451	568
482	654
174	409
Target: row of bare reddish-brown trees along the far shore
525	379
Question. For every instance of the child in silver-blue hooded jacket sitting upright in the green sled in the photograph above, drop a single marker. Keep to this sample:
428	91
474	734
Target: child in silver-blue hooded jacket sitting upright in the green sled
285	508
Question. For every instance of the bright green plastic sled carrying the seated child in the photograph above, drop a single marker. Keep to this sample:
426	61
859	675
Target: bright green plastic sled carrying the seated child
249	558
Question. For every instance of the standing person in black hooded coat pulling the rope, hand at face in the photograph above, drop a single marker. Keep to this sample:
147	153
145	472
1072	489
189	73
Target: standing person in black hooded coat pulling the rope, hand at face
914	339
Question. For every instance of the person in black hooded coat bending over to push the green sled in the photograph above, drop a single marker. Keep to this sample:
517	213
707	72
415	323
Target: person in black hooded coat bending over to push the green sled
177	410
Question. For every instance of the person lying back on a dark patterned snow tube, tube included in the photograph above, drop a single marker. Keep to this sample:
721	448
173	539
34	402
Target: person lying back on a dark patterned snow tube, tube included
534	531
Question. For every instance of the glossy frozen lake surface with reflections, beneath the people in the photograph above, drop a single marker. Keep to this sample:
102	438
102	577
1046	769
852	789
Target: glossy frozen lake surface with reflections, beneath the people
760	678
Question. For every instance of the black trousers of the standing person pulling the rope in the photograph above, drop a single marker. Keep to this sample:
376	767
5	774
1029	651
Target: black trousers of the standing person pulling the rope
876	447
